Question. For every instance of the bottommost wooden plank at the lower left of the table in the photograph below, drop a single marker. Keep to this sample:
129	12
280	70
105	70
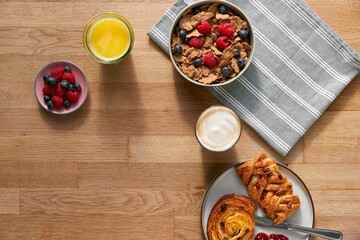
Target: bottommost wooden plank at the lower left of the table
100	227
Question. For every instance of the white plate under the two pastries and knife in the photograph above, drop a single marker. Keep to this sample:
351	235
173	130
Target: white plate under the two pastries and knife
228	182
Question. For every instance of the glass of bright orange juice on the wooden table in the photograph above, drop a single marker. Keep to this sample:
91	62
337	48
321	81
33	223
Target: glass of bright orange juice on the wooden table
108	38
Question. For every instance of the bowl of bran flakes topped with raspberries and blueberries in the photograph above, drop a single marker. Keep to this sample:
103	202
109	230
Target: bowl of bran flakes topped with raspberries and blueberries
211	43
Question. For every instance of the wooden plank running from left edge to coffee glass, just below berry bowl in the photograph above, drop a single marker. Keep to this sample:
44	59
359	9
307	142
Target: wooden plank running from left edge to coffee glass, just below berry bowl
91	121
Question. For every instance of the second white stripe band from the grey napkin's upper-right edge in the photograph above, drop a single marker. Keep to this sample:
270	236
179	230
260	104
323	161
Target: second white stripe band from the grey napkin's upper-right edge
301	44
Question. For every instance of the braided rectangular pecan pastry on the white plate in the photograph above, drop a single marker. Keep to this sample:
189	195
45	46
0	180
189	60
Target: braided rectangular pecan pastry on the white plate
267	186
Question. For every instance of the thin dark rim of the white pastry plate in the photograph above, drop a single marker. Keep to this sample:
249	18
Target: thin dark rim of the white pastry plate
239	163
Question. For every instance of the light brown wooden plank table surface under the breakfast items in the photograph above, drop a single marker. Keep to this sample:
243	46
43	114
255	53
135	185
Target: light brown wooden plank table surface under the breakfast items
127	164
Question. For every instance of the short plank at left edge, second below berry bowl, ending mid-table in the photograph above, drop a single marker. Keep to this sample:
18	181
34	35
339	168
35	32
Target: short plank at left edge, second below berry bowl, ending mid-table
113	147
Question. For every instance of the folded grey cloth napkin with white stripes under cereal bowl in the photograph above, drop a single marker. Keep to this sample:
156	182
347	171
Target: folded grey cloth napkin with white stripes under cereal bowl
299	67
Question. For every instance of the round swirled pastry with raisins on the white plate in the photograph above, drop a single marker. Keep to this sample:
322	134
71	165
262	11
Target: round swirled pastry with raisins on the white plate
232	217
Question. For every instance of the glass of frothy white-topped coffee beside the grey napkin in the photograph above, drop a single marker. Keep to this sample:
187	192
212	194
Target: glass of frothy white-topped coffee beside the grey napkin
218	128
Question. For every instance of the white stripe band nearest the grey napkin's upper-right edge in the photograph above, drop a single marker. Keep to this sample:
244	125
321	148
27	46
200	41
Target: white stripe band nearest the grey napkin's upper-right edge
348	56
